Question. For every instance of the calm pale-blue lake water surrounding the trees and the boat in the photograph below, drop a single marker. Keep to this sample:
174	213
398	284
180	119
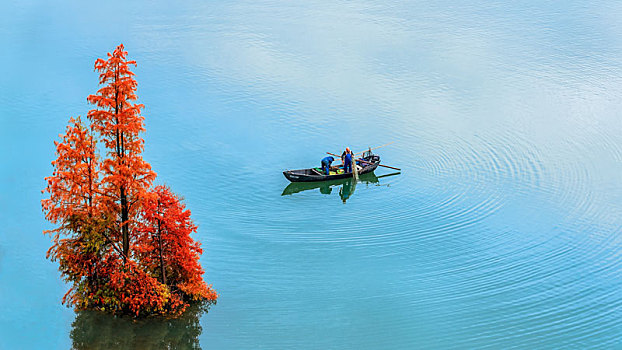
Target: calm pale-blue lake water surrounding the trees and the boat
503	230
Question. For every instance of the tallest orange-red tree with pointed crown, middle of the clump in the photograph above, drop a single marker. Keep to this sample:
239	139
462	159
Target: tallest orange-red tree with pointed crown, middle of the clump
117	119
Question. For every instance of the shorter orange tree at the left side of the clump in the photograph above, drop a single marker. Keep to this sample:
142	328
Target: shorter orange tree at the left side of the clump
74	206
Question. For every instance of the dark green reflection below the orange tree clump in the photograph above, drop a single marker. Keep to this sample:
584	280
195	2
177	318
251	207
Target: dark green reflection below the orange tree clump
94	330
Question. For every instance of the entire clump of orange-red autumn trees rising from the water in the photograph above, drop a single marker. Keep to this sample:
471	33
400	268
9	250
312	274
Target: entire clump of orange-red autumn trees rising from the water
103	207
